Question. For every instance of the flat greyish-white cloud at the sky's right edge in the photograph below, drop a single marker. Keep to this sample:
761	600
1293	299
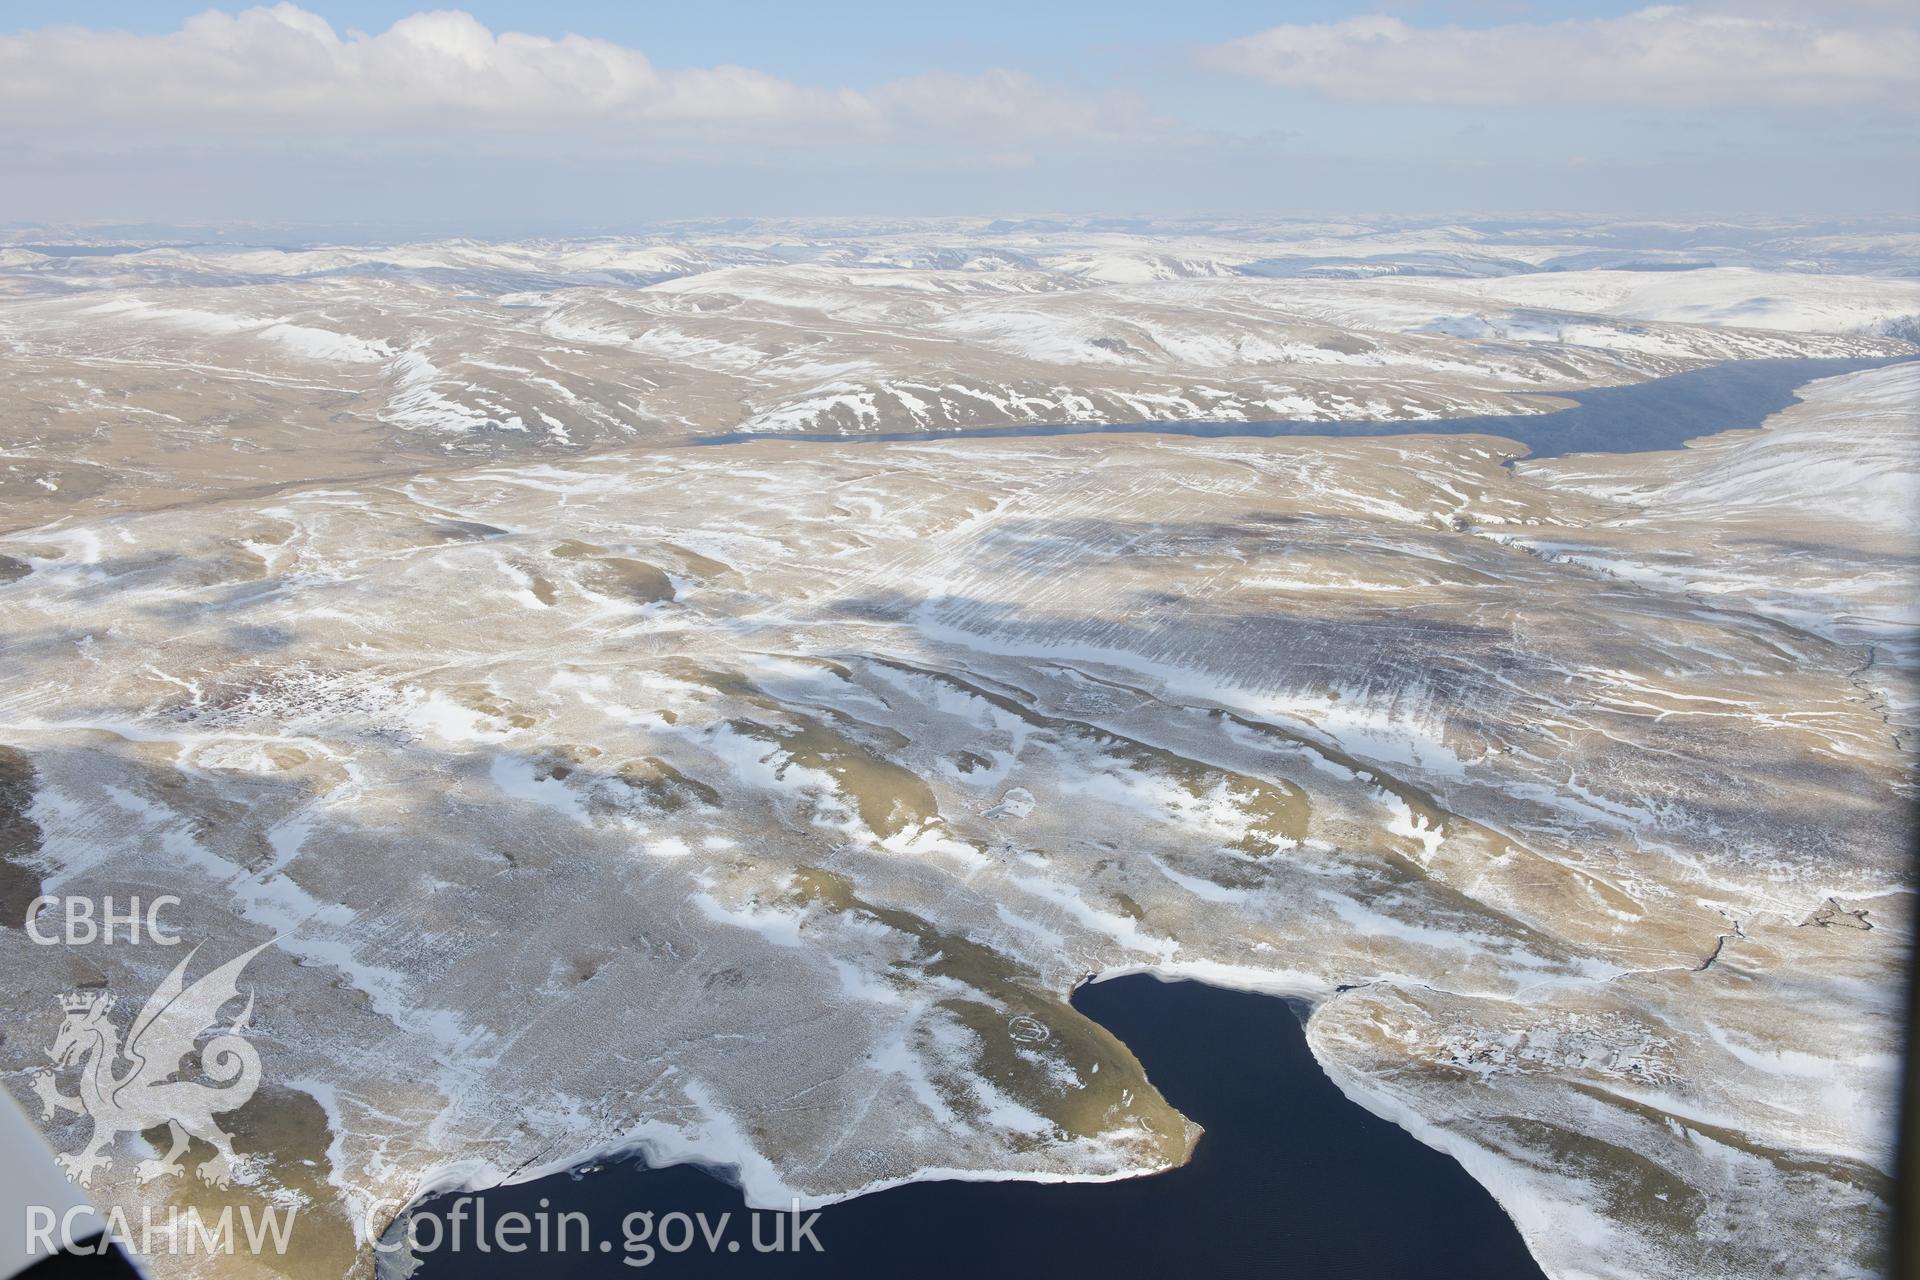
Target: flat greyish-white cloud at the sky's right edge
1673	57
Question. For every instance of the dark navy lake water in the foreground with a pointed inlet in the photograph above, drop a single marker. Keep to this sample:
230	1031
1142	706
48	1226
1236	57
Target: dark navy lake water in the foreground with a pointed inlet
1291	1179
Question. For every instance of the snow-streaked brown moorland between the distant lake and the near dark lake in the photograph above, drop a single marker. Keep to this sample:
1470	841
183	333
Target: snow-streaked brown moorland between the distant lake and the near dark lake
615	805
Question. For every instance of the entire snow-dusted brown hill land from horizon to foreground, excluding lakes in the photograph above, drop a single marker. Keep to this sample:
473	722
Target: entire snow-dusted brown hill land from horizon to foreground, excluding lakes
759	803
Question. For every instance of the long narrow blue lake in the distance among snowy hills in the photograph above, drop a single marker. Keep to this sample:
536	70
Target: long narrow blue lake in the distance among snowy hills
1662	414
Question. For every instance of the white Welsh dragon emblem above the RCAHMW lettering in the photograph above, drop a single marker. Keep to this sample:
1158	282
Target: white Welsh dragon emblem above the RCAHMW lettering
130	1087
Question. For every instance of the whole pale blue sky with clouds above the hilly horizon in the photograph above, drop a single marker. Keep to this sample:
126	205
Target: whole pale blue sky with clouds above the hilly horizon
571	116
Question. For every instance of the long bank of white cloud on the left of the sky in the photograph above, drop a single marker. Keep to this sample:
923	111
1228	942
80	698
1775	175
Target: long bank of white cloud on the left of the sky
287	72
